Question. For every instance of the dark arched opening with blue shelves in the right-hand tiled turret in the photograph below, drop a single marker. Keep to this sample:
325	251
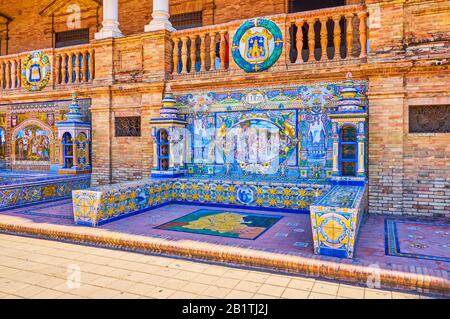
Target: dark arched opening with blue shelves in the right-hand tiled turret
348	151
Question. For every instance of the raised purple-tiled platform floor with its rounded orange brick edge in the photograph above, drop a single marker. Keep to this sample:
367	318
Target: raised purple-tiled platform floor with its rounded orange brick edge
287	246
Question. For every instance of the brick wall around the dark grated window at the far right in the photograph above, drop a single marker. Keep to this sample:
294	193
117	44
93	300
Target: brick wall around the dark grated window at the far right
426	159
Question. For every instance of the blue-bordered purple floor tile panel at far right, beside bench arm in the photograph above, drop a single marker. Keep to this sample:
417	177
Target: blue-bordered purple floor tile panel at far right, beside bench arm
411	238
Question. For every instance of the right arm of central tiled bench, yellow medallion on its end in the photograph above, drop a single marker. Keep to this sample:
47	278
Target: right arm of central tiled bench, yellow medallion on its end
335	220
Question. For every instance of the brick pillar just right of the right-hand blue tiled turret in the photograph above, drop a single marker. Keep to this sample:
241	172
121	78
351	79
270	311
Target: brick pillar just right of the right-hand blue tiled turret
386	104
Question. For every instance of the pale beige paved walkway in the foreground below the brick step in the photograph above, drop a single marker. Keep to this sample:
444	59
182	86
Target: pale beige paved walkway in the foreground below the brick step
36	268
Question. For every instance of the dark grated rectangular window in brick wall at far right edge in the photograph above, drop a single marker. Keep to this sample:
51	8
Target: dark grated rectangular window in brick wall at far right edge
429	119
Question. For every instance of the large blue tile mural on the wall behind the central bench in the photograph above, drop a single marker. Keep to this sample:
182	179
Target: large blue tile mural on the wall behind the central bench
263	132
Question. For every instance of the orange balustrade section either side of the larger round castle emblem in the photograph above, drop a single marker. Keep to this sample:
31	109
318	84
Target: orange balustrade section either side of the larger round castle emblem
310	36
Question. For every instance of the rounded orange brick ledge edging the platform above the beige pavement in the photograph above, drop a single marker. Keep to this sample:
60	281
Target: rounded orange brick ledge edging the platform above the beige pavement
358	273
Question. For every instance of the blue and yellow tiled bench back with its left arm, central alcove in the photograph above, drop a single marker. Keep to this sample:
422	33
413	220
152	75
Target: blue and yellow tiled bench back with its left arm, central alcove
103	204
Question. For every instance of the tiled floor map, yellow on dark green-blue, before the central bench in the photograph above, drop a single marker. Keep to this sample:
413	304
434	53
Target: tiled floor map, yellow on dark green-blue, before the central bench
223	223
